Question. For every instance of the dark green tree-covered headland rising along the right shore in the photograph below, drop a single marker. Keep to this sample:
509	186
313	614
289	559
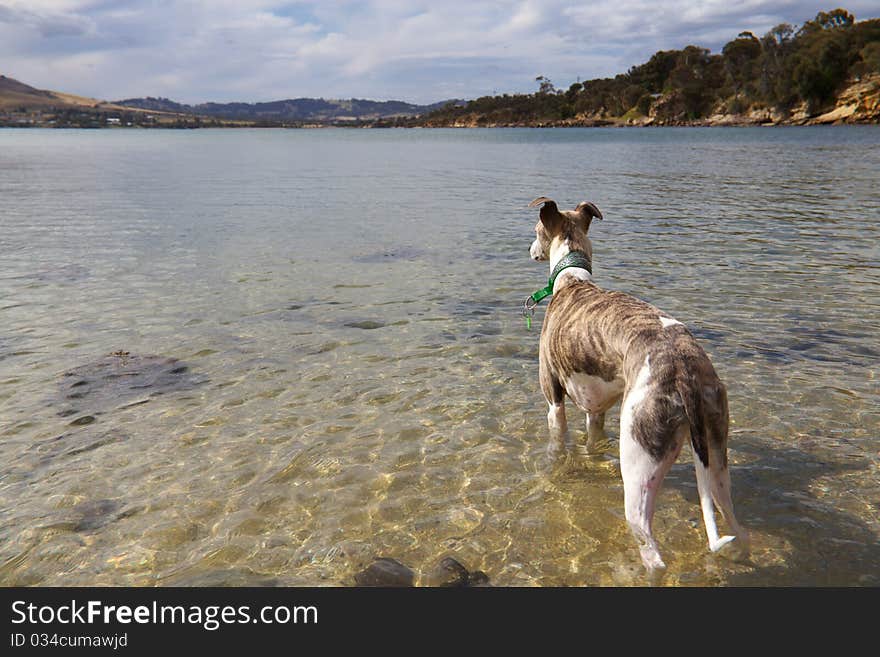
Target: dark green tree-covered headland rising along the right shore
788	67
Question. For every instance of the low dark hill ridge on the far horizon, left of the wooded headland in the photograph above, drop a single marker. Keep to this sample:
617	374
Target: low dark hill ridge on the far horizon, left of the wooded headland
316	110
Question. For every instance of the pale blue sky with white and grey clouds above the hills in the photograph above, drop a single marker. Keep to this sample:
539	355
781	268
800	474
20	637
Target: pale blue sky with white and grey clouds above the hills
419	51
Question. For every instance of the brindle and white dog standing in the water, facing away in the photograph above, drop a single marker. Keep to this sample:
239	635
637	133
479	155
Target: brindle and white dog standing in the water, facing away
600	346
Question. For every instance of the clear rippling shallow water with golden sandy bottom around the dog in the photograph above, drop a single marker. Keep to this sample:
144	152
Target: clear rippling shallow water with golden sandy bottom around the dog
353	378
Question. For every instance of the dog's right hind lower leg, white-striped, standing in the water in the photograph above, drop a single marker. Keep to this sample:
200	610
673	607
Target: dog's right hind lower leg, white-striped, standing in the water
713	484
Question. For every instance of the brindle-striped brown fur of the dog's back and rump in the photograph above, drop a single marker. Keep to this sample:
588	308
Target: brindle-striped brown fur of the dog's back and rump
612	335
